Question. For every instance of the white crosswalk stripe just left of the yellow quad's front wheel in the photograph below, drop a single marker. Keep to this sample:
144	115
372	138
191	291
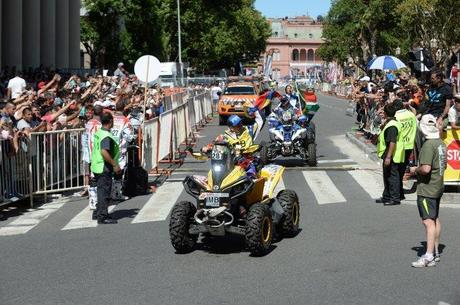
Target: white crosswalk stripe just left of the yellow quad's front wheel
158	206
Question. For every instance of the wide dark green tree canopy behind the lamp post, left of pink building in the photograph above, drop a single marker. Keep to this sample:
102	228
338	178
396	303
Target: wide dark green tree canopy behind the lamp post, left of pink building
215	33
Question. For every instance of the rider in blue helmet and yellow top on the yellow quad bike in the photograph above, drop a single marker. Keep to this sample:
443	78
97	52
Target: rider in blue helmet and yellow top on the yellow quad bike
239	137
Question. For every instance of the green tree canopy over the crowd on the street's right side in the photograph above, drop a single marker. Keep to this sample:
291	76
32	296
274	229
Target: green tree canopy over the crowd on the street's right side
361	28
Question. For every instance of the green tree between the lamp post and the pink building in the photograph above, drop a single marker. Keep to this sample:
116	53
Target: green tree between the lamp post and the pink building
217	34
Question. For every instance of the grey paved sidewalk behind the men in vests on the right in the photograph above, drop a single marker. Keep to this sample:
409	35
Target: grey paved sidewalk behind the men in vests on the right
451	194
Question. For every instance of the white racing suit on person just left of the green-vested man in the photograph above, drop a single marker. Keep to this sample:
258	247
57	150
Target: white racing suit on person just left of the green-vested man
87	139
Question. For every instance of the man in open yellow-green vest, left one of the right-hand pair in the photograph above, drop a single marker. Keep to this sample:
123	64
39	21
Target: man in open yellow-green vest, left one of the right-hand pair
390	147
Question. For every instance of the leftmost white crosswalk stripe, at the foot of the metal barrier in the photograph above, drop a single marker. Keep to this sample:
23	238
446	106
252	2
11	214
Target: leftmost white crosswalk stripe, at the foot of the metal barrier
30	219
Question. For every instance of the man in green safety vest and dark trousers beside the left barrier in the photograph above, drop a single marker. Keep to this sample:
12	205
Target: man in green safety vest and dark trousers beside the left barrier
104	163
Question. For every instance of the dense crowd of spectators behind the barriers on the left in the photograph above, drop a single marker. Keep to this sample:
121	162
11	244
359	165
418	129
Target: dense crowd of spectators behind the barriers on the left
42	100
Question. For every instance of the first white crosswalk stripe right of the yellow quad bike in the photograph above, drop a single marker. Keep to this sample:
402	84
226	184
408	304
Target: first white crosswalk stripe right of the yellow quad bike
323	188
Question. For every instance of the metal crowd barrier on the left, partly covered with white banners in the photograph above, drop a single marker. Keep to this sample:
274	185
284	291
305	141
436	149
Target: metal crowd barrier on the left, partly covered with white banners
51	162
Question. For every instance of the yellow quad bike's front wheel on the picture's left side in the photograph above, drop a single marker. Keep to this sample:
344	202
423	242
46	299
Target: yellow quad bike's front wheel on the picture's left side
179	225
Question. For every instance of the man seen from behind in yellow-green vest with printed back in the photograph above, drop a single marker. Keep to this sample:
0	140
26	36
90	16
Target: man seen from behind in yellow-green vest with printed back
408	122
